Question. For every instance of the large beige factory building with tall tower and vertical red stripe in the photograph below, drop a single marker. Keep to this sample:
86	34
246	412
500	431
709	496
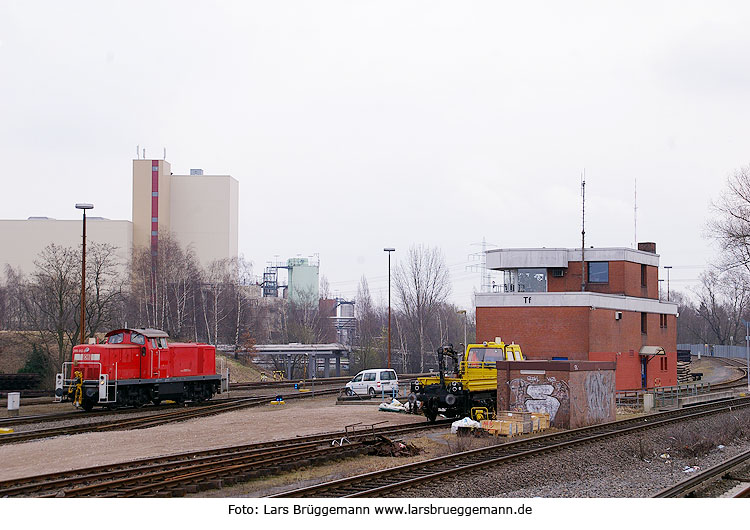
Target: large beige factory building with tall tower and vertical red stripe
197	210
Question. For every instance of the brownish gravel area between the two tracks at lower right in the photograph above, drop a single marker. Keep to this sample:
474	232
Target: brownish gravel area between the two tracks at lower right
627	466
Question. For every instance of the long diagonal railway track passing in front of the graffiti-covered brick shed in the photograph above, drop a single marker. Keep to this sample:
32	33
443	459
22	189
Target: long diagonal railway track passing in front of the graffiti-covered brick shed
413	475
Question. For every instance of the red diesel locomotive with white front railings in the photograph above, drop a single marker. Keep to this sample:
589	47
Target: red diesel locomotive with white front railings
137	366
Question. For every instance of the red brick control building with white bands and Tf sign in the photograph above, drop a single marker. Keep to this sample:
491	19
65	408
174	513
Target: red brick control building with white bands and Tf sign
614	314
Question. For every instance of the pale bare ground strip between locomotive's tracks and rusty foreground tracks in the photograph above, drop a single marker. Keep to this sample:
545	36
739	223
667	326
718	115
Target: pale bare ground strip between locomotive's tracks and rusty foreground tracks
271	422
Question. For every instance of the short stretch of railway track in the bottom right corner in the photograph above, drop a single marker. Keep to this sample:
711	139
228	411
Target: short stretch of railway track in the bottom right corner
728	479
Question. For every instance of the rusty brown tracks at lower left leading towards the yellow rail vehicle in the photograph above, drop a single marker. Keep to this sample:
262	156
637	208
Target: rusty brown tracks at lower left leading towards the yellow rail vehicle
179	474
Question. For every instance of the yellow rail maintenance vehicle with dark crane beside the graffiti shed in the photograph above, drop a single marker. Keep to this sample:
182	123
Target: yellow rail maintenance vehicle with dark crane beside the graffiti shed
470	389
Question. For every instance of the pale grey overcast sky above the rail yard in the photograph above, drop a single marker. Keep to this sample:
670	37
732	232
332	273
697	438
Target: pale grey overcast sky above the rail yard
357	125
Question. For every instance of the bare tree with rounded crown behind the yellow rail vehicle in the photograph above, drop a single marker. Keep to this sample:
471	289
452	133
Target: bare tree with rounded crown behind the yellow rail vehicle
422	283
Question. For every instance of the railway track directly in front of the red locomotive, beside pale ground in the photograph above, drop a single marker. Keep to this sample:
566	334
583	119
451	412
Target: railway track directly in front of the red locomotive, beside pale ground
151	420
